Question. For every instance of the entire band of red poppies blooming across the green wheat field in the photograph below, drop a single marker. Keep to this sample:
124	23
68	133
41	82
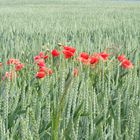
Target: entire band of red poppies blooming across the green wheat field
68	52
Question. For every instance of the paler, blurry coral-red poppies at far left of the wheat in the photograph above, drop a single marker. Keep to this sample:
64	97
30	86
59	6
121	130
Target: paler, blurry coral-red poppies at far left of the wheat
16	66
